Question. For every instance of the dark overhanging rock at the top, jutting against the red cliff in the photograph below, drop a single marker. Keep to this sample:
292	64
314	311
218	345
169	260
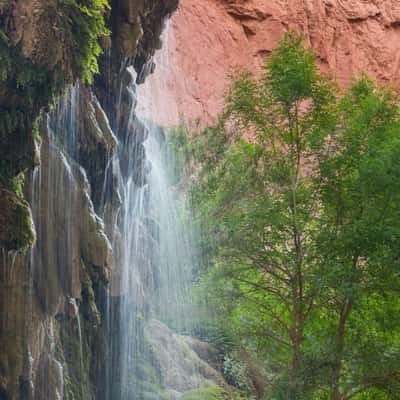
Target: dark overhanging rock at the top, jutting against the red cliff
136	29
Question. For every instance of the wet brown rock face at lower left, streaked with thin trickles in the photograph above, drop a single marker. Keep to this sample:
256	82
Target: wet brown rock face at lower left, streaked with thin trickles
50	349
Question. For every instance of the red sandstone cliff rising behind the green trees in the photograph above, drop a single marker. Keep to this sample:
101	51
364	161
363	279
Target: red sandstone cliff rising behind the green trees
206	37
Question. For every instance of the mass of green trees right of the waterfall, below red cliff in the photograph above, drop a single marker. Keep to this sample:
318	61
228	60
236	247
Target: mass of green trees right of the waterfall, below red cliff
297	189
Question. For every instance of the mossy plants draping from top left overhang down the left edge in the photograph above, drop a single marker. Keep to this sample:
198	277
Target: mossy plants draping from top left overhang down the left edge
29	83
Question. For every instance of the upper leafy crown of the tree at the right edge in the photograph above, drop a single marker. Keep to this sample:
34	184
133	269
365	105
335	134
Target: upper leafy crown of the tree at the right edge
360	177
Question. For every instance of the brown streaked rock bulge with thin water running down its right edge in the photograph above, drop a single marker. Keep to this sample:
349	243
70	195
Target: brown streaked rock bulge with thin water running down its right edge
68	230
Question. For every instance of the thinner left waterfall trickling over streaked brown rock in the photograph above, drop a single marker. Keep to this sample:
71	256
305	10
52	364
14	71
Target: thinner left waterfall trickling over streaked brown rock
70	243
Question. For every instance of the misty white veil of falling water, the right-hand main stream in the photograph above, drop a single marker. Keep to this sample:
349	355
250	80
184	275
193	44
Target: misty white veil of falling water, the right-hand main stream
152	255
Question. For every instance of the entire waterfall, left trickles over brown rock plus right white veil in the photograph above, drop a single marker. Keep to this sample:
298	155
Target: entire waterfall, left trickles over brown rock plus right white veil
120	286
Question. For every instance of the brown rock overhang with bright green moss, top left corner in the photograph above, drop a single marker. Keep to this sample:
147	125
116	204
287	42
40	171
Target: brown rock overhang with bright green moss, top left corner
57	35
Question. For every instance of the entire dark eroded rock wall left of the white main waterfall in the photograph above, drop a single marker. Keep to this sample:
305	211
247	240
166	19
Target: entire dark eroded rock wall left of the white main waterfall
53	298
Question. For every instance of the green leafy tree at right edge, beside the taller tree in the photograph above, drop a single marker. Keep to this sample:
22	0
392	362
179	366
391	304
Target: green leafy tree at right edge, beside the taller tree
359	229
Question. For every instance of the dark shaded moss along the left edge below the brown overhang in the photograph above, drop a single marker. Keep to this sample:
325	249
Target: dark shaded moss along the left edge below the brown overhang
24	90
